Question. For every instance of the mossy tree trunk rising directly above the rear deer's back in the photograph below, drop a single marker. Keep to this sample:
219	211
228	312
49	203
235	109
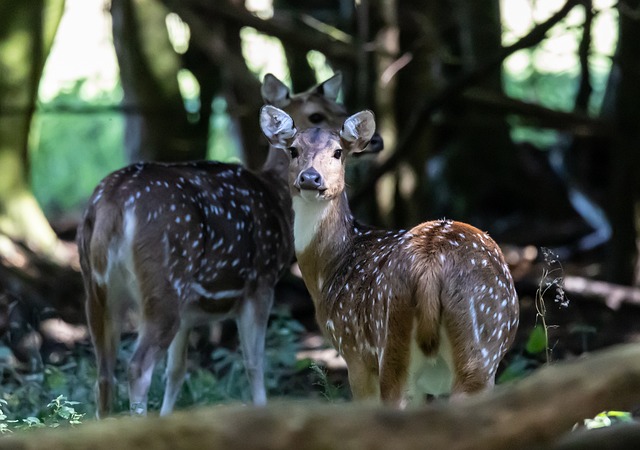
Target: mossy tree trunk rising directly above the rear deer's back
156	125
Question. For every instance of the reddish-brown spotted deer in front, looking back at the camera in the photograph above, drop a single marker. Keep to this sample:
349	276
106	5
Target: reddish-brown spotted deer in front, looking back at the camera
430	310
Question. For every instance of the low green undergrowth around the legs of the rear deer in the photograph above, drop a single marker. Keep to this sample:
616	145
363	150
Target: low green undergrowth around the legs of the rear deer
225	380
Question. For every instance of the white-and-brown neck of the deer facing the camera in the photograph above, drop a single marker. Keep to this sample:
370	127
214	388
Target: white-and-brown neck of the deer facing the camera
322	231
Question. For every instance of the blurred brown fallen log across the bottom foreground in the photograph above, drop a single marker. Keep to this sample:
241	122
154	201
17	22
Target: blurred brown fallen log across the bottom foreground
533	413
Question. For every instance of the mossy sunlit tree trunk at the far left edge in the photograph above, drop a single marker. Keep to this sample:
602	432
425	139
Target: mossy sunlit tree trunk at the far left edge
26	35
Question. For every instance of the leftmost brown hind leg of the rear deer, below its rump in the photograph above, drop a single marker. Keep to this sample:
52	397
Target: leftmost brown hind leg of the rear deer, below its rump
105	335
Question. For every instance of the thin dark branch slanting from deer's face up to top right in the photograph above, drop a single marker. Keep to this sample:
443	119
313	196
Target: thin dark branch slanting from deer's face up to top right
422	114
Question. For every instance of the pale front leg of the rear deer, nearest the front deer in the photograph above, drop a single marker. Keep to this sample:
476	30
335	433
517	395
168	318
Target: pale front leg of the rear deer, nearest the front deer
252	321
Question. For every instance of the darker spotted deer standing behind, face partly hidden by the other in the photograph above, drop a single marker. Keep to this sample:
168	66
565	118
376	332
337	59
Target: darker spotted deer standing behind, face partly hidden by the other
187	244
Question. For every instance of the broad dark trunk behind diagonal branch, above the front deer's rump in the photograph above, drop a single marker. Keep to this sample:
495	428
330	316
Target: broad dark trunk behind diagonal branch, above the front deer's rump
481	147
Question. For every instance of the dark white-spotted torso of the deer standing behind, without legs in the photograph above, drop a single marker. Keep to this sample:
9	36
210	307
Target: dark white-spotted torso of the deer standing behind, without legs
212	226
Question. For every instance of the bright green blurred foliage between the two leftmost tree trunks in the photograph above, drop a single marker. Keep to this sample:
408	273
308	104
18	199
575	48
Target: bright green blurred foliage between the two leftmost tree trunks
75	144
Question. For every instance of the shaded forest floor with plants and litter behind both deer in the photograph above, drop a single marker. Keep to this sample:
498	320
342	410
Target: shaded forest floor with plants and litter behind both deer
303	366
